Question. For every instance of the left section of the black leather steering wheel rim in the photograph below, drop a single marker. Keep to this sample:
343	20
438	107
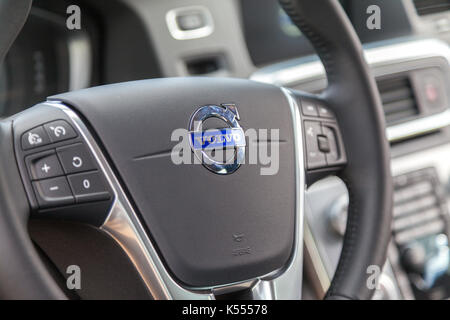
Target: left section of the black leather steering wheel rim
22	273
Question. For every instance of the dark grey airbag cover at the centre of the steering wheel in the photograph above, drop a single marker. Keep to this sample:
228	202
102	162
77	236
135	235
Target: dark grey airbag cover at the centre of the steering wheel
197	219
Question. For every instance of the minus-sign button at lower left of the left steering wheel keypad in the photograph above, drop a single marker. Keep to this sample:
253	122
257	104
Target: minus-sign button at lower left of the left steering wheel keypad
53	192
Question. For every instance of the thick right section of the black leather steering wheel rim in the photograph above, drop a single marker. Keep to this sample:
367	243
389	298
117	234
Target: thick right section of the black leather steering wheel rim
352	94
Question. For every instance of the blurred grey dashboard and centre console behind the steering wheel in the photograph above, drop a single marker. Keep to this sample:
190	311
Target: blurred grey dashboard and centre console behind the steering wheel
122	40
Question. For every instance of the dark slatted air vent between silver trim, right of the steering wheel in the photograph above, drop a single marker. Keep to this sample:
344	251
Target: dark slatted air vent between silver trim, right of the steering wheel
398	99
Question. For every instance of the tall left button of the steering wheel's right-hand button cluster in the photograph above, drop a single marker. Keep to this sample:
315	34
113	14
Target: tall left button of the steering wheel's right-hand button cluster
315	158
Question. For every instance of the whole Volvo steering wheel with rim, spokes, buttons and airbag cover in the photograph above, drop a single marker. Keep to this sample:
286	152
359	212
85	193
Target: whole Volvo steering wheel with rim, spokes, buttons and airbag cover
138	161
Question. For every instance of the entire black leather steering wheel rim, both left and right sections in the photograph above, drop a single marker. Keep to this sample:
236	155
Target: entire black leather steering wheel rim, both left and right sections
368	226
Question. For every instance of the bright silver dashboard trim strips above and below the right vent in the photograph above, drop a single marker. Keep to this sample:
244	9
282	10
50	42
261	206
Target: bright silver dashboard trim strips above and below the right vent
376	57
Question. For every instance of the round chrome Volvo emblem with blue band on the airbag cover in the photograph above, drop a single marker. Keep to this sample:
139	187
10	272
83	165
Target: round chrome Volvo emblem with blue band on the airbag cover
223	139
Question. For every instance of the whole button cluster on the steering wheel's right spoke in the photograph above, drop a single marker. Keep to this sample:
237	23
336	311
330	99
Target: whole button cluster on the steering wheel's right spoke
324	147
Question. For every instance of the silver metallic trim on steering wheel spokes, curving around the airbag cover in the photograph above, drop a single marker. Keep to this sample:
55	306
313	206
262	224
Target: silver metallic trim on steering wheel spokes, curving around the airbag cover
124	226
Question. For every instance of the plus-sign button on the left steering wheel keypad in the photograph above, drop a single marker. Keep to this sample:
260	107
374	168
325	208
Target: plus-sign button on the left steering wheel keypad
44	165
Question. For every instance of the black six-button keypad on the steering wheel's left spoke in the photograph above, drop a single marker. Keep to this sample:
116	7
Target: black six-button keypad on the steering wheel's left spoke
62	172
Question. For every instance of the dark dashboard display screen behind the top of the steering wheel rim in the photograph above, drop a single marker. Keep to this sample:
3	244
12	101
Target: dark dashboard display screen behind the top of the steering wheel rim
271	36
